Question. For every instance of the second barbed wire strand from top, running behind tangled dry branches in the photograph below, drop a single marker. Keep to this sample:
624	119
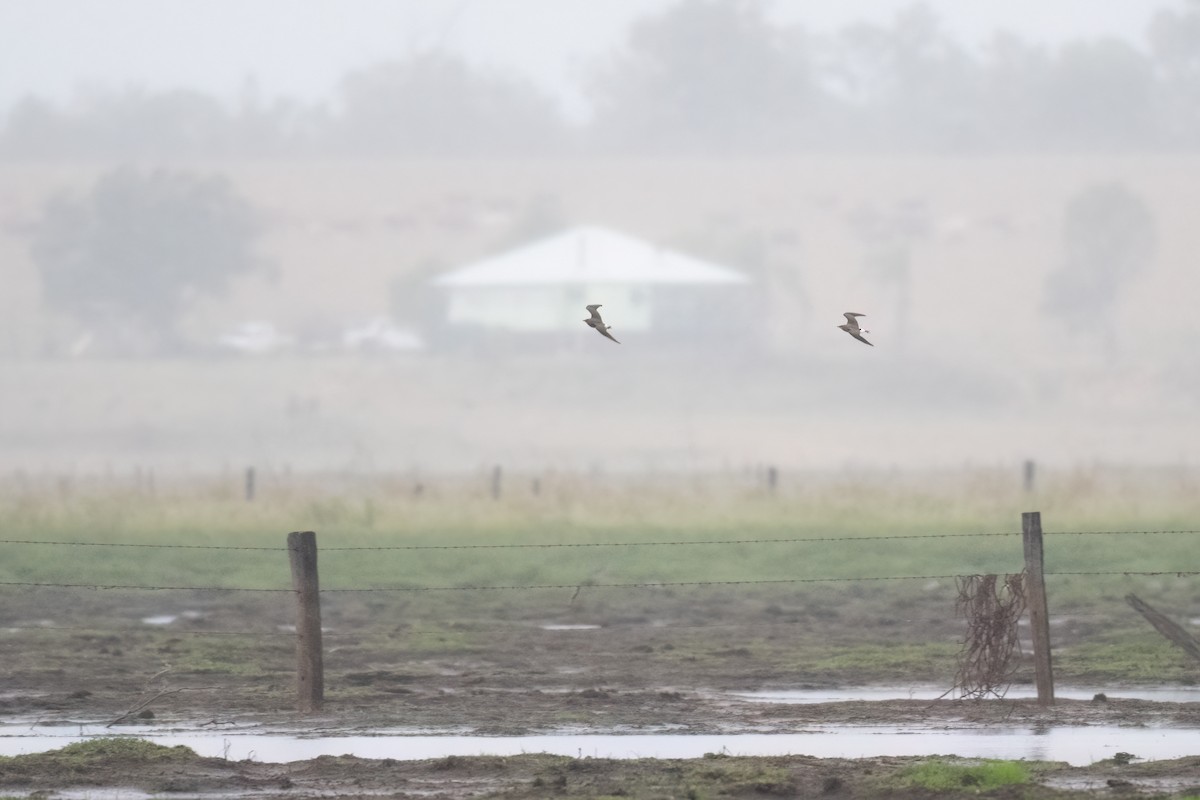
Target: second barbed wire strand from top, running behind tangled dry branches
640	585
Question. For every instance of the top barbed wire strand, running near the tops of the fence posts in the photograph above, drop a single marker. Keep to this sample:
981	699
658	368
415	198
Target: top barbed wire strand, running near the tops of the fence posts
796	540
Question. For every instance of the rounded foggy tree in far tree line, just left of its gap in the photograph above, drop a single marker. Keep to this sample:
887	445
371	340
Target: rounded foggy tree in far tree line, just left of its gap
437	105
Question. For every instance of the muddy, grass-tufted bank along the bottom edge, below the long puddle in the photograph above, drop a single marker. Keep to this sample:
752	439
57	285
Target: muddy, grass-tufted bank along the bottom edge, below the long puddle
129	768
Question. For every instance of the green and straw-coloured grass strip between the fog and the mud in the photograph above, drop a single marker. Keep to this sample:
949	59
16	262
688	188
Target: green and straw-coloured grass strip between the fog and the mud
814	526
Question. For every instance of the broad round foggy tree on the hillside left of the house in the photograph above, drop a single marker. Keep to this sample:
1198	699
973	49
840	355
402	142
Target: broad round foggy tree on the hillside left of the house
127	260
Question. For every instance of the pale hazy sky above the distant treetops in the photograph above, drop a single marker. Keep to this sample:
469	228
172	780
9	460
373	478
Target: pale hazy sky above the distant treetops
302	47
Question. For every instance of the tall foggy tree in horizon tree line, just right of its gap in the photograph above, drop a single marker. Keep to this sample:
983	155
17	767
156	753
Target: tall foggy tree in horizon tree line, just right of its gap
706	76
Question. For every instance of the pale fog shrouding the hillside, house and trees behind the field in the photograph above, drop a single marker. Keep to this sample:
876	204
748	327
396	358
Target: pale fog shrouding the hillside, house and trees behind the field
362	236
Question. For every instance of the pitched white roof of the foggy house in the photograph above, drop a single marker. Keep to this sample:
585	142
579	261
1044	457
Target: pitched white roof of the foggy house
591	256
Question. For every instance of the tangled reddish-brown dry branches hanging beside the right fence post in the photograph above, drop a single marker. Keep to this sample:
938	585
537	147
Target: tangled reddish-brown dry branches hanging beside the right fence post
988	659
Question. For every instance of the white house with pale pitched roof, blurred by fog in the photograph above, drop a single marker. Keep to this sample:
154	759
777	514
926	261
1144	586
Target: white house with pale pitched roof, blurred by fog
542	288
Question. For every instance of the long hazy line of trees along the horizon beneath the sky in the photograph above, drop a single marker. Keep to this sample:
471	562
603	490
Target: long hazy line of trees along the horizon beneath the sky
705	77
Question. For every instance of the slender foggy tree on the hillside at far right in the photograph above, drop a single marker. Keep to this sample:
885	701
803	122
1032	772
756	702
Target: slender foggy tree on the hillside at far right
1108	236
